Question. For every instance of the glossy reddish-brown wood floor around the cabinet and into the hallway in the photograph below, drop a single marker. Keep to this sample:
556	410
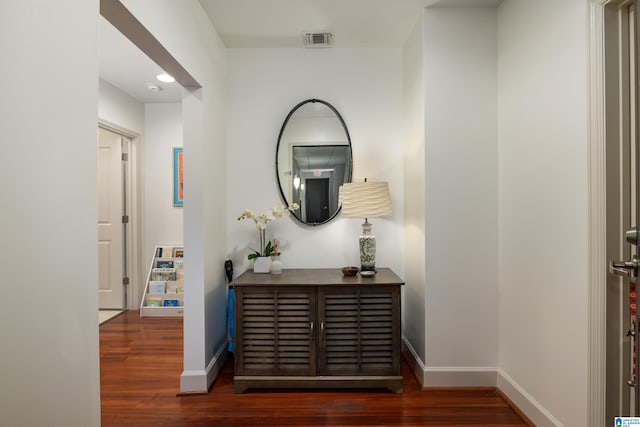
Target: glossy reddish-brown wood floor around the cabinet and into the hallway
141	361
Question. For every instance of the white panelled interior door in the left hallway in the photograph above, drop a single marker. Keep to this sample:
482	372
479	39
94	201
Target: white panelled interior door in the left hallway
110	221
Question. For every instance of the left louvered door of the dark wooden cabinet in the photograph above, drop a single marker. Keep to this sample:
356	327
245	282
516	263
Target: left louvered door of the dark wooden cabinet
275	331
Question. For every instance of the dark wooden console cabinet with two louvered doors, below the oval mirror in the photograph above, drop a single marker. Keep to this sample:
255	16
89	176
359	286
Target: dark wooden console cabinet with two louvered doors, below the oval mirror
315	328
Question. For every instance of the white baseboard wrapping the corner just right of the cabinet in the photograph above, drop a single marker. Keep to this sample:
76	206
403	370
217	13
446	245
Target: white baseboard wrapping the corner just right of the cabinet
448	376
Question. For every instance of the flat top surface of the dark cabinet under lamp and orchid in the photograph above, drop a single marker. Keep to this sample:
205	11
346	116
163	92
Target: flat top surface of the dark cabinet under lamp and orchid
316	277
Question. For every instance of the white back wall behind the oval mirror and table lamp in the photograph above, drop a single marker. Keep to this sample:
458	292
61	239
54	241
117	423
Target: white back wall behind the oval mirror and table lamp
365	86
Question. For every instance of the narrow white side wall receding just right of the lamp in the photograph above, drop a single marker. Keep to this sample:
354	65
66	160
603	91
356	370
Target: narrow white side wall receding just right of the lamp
414	194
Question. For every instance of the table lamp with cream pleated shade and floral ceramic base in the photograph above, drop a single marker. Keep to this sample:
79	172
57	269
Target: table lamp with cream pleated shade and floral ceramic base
366	200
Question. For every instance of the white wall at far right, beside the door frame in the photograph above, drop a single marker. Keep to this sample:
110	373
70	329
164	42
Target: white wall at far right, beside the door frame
543	208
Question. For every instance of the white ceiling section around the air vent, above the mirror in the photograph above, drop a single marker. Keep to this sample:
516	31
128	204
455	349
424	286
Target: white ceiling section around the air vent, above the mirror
354	23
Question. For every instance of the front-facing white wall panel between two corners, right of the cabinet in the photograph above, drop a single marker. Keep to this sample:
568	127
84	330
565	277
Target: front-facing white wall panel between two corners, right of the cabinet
461	297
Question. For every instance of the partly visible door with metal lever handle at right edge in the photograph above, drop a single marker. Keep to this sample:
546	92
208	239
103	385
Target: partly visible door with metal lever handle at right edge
623	178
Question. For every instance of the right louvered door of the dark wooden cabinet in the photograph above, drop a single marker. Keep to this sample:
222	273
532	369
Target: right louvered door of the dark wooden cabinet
359	330
